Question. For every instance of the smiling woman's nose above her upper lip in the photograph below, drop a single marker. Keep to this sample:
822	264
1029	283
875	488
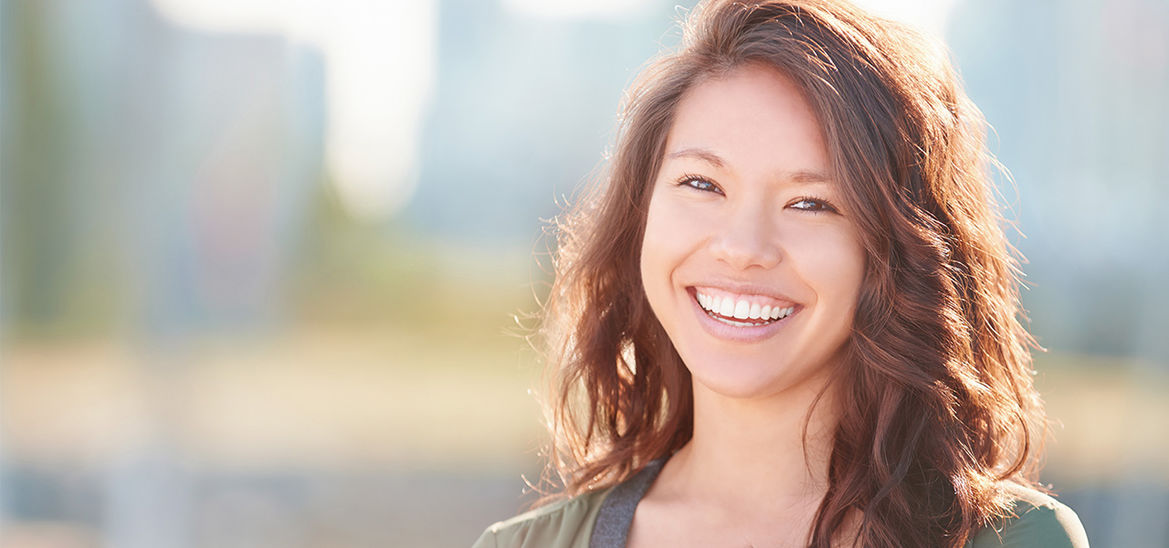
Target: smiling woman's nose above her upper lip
748	240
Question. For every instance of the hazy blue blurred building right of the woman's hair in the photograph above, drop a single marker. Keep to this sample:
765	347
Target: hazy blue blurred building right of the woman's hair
1076	93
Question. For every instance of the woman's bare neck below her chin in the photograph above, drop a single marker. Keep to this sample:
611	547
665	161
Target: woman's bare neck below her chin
757	452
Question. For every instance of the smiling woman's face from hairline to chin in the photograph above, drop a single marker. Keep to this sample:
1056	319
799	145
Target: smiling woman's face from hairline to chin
750	262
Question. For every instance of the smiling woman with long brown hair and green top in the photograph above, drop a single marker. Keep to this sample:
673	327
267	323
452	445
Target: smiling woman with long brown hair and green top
790	316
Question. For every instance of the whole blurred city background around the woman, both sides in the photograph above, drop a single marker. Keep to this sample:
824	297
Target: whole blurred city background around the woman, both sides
267	266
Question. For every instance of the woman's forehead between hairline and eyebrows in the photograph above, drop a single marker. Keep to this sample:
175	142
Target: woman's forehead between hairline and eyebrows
752	119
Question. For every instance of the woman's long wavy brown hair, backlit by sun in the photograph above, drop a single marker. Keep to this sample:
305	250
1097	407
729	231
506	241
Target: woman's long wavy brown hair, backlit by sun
939	408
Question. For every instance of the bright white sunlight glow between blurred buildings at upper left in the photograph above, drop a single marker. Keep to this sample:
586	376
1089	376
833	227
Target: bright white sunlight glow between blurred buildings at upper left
381	65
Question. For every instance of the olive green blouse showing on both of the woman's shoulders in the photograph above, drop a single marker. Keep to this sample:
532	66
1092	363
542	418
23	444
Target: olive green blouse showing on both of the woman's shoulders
1039	522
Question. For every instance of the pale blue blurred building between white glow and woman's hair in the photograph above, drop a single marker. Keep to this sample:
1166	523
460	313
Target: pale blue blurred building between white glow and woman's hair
524	108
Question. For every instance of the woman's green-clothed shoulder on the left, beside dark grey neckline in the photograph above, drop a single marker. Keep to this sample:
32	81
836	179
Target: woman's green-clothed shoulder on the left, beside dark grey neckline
565	524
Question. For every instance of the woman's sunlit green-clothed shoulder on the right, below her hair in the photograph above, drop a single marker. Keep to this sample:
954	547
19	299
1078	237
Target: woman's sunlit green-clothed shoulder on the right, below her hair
1037	521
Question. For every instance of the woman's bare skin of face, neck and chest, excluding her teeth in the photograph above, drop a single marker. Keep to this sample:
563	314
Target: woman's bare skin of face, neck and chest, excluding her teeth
746	204
